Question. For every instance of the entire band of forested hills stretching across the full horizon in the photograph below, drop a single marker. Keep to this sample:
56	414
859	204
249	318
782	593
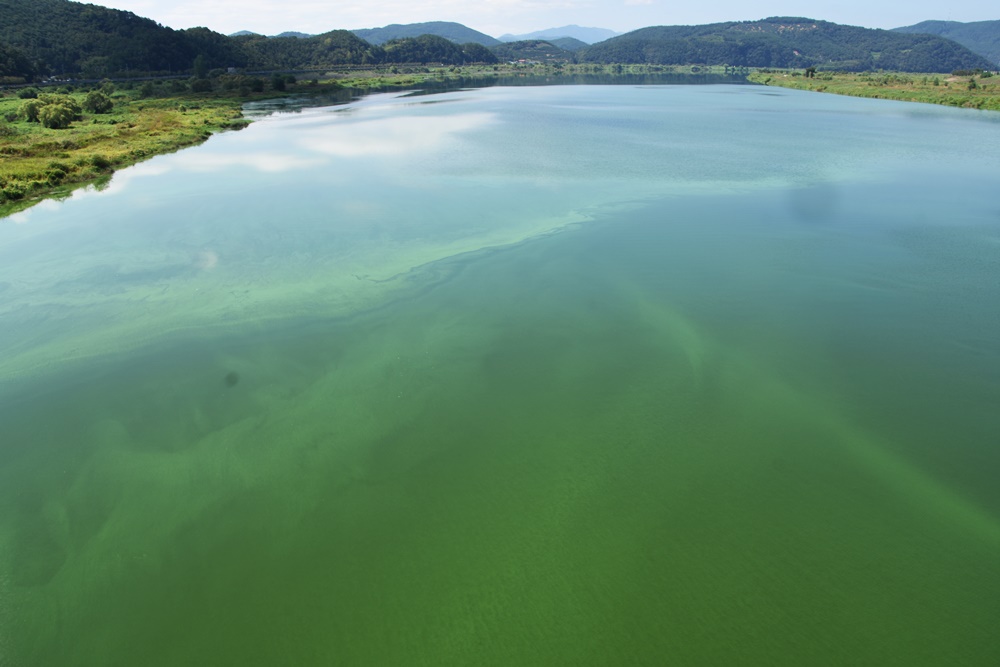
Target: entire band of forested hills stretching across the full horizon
63	38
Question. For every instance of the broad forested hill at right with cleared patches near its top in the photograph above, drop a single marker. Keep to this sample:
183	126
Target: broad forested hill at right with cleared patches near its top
786	42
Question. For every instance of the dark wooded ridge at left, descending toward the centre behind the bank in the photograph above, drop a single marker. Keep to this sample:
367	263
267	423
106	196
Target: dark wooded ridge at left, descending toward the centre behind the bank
61	37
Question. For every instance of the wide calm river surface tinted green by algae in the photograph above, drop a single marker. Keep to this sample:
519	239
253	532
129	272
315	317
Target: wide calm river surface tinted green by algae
582	375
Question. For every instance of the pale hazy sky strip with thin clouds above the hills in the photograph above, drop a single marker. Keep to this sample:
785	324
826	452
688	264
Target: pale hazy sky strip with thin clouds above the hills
496	17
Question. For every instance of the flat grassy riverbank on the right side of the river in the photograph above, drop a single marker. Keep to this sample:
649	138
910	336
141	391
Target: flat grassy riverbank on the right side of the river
978	91
